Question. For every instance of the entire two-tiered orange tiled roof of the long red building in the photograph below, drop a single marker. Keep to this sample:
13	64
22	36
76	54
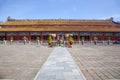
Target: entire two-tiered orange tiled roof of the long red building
60	25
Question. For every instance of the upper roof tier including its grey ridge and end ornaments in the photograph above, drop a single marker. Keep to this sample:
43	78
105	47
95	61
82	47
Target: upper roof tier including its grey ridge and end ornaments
59	22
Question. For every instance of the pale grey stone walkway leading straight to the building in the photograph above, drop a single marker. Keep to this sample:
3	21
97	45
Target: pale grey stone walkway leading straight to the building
60	66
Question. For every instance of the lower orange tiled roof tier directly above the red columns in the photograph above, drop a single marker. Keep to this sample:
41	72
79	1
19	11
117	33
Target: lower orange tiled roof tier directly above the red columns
62	29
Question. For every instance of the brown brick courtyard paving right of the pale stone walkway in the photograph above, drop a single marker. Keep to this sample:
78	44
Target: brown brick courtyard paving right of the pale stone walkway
98	62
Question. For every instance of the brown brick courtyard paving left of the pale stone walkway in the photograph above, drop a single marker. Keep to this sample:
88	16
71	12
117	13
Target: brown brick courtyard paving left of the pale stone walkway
22	62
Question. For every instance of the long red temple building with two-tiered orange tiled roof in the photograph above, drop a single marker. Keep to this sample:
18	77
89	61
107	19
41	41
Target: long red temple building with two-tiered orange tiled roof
59	28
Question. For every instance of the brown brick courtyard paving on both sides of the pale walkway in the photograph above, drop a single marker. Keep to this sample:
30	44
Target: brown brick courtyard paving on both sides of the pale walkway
97	62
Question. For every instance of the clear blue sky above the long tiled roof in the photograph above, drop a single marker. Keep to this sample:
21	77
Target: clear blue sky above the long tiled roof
55	9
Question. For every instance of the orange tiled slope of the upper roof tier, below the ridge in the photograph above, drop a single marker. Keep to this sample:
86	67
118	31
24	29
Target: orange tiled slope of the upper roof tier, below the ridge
59	22
